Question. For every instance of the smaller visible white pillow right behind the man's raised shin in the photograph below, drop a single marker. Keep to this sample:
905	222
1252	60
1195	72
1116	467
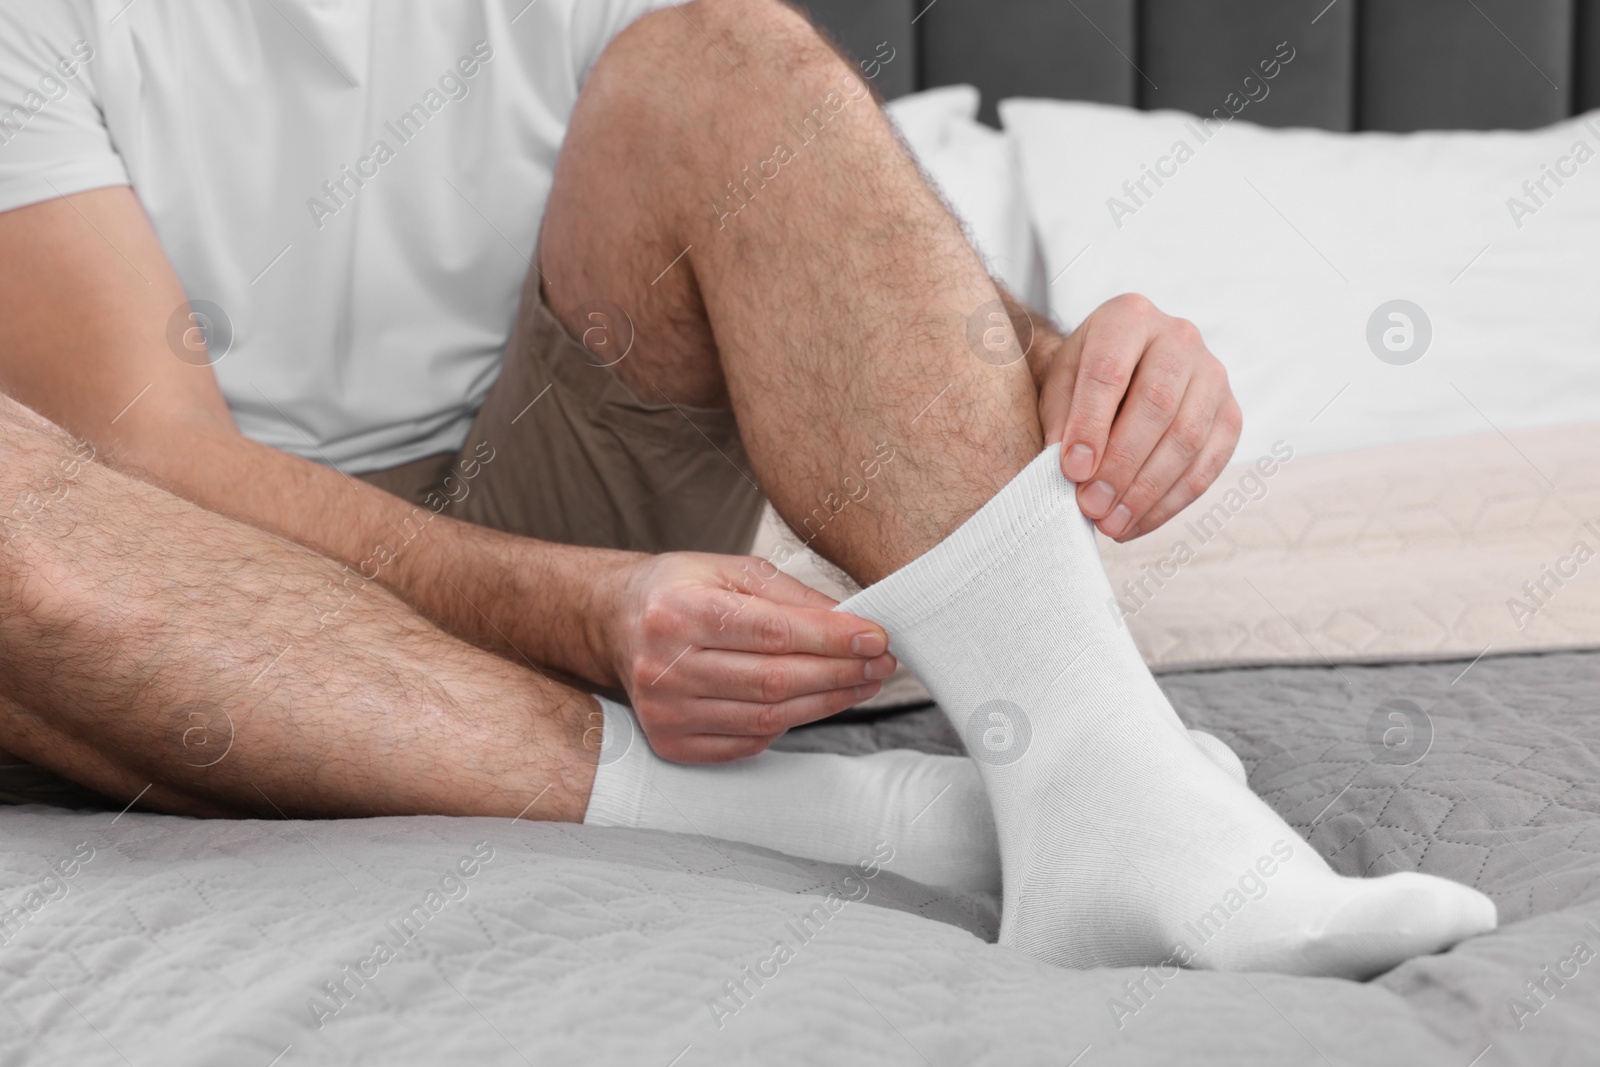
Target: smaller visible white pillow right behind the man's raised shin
972	167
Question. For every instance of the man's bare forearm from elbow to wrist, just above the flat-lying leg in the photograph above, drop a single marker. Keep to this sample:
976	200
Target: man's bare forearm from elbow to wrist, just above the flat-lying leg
519	597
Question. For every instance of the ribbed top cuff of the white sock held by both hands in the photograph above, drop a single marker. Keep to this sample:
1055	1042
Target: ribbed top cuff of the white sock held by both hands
985	541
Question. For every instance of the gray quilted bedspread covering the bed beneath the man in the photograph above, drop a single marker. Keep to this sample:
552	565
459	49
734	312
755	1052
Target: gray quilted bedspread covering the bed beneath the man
174	941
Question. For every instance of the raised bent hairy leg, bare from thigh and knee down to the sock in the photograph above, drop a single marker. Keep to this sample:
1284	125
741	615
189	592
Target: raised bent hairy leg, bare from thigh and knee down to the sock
751	212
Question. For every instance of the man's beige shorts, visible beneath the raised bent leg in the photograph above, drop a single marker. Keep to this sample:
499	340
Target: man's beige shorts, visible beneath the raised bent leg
562	450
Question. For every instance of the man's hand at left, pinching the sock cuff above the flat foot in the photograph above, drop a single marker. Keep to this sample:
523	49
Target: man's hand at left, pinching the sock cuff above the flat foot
722	655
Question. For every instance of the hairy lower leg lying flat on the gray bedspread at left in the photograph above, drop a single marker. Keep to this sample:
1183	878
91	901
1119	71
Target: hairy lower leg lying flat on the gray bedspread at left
151	644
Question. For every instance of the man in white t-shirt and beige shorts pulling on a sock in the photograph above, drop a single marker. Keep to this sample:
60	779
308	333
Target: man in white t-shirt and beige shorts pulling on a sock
738	281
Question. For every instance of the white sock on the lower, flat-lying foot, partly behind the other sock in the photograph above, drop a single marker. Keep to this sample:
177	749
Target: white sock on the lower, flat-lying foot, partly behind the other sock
922	817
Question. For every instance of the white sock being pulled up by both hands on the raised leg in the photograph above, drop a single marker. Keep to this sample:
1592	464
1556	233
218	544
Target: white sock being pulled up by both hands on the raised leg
1122	844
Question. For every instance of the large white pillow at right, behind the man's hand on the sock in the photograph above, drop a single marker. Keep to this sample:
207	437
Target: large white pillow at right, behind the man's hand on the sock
1284	244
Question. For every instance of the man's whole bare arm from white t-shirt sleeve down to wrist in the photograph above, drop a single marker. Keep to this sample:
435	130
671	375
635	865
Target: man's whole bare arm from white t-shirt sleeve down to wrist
84	343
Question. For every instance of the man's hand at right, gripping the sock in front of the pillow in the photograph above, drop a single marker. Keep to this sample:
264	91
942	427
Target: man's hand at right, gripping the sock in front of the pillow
1143	412
